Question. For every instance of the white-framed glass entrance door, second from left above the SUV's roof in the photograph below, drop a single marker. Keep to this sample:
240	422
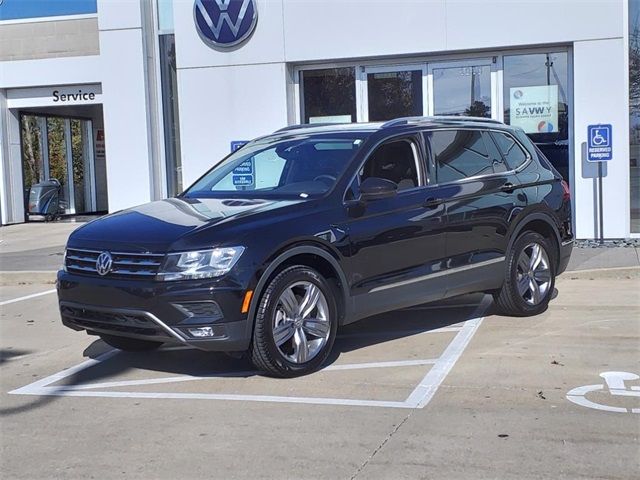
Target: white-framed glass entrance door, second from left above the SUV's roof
393	91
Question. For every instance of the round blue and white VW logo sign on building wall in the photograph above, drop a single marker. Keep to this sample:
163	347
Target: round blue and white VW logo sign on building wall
225	23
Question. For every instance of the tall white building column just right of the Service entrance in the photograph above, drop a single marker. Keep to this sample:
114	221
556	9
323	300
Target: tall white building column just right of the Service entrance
131	163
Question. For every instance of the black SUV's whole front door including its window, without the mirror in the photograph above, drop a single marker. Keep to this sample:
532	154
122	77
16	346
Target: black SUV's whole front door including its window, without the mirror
395	242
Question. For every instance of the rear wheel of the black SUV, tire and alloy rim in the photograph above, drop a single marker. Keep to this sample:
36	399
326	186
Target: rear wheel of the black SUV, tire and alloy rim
529	281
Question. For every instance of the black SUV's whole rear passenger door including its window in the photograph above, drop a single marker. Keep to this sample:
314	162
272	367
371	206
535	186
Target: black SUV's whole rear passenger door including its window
481	194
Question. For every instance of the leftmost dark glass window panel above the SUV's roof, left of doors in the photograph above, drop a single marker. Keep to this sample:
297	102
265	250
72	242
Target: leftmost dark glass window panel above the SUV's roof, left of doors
329	95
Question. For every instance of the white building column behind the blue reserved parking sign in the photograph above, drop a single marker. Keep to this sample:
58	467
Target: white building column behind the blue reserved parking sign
600	95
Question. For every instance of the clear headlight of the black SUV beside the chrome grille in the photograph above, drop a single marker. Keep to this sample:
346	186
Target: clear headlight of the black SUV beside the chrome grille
199	264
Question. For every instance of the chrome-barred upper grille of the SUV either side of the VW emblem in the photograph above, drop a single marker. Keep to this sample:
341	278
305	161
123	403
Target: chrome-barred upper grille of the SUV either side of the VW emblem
125	265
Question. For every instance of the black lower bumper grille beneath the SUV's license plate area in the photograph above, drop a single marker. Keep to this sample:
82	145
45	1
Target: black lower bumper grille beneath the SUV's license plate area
110	321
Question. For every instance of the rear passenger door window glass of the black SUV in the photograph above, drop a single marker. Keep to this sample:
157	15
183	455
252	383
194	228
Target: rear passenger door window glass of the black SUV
461	154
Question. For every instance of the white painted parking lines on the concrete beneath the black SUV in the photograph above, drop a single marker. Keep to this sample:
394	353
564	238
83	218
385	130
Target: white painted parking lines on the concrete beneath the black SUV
419	397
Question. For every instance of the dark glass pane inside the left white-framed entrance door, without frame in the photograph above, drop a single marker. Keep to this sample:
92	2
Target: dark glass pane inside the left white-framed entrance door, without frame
394	94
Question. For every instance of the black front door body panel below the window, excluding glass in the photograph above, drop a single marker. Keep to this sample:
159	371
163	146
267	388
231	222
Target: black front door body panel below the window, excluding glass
395	242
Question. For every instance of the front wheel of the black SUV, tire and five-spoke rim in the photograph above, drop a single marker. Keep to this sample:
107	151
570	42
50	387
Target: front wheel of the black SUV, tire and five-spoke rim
295	324
